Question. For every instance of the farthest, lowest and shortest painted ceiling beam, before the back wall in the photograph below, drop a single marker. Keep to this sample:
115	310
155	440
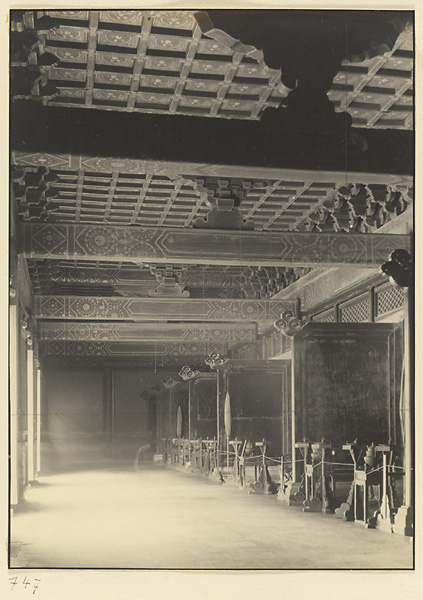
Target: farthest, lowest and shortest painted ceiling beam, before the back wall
78	348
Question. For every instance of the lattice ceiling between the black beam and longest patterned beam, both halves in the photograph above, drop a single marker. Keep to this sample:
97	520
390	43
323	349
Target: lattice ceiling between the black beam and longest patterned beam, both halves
117	198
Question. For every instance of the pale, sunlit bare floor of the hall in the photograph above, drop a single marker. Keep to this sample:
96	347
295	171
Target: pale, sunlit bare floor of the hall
159	518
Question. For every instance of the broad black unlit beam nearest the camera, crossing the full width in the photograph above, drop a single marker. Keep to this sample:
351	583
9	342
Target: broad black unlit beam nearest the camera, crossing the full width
236	147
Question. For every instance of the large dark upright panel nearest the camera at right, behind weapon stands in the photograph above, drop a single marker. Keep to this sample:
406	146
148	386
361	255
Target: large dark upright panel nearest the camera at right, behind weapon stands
347	382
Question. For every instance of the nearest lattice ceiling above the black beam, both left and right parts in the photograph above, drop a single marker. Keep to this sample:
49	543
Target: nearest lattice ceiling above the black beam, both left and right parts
158	62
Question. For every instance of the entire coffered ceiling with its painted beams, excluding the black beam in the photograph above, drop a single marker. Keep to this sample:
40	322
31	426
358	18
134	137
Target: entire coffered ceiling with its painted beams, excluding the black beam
121	254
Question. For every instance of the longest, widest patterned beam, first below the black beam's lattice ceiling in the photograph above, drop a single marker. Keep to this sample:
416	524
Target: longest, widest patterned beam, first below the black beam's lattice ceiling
211	247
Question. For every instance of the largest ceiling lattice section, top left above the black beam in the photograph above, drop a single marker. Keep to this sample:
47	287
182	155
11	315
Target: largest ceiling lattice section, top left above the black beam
154	61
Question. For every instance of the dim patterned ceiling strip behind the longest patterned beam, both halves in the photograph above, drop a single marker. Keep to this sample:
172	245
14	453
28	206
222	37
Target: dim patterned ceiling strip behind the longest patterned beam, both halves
52	277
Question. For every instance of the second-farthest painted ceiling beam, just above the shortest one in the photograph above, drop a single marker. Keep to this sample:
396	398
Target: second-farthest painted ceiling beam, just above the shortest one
225	333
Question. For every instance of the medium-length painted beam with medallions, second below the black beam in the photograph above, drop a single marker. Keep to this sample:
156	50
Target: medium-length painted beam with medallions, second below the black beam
159	309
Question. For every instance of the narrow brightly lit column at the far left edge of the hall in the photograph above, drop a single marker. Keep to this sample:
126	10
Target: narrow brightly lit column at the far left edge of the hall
14	402
